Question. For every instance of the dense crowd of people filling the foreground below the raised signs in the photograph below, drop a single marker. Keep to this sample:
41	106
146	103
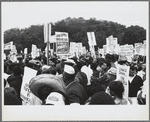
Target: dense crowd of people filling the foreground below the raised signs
82	80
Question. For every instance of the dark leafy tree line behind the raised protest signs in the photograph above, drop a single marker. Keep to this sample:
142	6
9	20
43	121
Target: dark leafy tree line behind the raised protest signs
77	29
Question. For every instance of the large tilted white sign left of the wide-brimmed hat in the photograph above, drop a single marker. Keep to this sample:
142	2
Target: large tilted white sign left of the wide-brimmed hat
25	93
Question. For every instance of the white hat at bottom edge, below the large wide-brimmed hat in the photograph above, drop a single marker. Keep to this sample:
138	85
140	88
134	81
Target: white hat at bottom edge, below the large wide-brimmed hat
55	98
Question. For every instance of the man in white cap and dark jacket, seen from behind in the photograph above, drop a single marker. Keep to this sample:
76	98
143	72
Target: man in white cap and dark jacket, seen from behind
74	90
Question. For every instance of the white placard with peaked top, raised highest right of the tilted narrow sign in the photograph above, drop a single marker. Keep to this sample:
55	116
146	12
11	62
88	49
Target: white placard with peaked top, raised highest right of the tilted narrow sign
112	45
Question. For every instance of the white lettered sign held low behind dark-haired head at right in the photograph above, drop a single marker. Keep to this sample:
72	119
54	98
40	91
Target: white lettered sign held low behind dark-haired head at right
123	76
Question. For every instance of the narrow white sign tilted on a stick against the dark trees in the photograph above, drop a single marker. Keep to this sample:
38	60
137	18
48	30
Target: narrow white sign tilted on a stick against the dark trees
91	38
